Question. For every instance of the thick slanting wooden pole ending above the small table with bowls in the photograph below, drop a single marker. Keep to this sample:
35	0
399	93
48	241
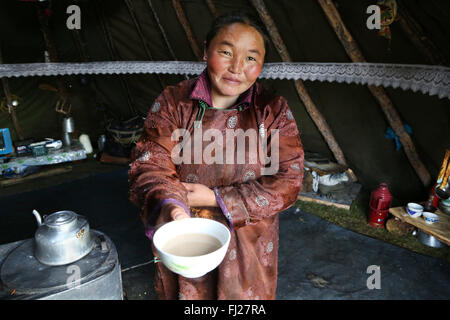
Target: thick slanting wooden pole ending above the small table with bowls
379	93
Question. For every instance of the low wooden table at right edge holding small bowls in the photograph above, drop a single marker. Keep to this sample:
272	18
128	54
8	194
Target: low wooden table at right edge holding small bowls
440	229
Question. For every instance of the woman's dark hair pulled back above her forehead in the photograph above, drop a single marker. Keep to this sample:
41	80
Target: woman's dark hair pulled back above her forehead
236	17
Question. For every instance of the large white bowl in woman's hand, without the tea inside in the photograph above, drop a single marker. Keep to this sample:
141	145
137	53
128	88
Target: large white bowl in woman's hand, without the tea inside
192	266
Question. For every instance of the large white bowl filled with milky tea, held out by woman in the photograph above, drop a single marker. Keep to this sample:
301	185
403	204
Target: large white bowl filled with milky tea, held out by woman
192	247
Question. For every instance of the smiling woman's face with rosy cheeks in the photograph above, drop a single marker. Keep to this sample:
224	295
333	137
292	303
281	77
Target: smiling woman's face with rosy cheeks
235	58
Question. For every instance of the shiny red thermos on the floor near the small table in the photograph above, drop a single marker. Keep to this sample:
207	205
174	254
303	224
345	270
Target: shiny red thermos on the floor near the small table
380	201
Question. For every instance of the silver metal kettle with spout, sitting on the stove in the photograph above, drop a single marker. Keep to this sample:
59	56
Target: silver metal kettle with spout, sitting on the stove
62	238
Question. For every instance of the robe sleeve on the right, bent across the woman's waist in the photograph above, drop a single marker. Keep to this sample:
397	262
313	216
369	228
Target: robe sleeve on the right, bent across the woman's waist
250	202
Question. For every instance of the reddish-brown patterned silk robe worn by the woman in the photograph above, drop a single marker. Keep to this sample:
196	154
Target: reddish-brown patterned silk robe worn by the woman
249	199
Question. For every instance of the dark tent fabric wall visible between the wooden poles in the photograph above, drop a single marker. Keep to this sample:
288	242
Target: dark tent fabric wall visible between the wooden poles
351	111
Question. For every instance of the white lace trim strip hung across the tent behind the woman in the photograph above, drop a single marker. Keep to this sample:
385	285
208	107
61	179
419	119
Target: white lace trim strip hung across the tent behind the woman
433	80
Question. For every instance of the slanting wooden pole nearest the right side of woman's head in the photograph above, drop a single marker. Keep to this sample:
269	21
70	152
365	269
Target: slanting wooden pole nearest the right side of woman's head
315	114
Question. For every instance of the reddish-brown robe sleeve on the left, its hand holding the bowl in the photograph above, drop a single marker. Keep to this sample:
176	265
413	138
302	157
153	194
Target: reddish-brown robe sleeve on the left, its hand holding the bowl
153	177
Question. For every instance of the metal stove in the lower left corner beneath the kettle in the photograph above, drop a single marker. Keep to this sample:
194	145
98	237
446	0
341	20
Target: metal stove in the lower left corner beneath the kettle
97	276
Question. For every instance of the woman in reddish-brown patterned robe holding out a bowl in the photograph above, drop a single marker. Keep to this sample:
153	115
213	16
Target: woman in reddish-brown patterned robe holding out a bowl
247	196
